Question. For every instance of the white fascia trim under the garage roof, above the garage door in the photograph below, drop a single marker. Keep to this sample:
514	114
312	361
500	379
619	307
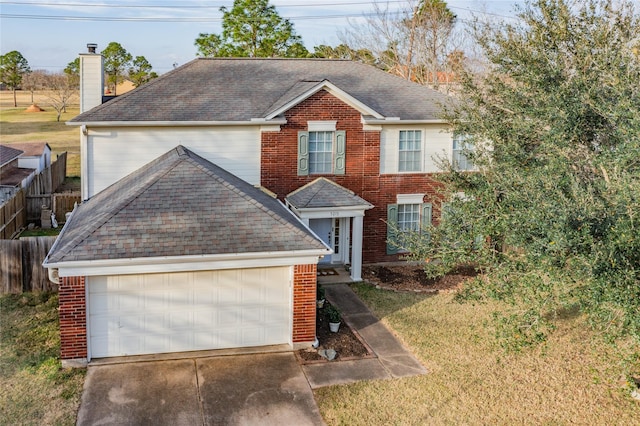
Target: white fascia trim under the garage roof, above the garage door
187	263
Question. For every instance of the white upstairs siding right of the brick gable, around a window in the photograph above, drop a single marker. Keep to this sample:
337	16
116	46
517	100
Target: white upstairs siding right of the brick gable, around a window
436	142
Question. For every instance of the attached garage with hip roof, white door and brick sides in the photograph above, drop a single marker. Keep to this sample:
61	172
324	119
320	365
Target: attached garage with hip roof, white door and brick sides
182	256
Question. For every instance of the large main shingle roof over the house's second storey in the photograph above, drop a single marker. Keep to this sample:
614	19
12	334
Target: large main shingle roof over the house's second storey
239	89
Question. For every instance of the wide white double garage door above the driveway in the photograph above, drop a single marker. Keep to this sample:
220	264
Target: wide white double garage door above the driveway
157	313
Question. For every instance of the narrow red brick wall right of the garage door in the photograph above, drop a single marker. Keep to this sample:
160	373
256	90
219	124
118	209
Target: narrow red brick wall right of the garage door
304	303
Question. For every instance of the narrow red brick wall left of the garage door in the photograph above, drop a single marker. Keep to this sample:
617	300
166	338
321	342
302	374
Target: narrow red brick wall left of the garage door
73	318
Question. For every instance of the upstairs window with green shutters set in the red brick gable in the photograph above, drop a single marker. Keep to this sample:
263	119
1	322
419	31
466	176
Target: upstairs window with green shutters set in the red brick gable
321	152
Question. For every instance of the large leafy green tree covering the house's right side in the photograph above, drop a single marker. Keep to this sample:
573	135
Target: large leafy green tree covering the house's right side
553	211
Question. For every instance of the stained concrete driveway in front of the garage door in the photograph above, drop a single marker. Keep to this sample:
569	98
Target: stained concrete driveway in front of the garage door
265	389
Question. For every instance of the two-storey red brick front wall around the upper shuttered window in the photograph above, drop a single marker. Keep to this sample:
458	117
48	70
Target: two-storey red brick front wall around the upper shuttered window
279	171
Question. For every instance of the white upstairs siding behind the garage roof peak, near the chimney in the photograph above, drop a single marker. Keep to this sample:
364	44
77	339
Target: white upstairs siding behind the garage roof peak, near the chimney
114	153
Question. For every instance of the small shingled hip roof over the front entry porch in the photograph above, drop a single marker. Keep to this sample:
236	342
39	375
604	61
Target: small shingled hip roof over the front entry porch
325	193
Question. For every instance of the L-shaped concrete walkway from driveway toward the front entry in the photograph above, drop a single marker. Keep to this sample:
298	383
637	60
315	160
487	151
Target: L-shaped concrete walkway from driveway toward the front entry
392	359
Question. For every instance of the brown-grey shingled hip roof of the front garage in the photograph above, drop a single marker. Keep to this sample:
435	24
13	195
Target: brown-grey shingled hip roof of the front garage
179	204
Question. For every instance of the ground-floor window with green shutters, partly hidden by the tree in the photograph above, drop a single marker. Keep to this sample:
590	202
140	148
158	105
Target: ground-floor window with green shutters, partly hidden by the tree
408	215
